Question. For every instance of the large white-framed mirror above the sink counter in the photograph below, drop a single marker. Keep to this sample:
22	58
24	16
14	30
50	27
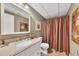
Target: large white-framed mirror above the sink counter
16	20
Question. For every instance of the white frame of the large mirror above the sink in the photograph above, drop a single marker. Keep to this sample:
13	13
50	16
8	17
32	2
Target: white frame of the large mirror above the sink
2	17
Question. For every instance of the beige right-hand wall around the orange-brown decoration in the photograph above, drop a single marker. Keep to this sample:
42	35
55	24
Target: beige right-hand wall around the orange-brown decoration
73	46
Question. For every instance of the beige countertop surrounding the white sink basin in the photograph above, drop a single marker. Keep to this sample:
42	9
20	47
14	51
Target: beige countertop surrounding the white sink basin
12	50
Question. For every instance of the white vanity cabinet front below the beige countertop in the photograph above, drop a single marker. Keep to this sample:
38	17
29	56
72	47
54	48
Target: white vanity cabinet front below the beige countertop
33	50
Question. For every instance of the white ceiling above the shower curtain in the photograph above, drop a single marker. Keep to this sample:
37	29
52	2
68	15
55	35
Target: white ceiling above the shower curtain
50	10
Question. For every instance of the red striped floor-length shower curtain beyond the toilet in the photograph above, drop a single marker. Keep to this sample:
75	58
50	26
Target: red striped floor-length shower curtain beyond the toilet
55	32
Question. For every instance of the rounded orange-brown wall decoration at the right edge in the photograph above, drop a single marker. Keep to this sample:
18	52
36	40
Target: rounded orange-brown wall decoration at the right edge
75	26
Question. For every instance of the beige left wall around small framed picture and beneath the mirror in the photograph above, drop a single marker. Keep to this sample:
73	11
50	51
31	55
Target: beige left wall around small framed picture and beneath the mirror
35	17
